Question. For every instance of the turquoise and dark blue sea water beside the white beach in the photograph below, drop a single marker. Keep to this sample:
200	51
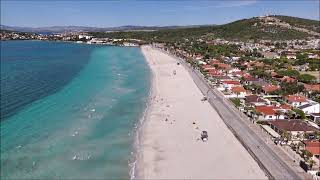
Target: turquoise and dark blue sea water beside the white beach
72	109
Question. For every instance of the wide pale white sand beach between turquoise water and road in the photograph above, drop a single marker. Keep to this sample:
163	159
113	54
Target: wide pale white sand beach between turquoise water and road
171	149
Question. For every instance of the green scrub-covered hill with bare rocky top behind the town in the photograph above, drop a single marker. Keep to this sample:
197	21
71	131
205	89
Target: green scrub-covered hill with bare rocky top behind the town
267	27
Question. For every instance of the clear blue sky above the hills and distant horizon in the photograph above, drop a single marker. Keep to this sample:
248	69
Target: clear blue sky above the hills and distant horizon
106	13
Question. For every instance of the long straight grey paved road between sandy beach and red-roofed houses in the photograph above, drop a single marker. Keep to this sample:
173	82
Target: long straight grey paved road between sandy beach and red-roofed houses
275	163
